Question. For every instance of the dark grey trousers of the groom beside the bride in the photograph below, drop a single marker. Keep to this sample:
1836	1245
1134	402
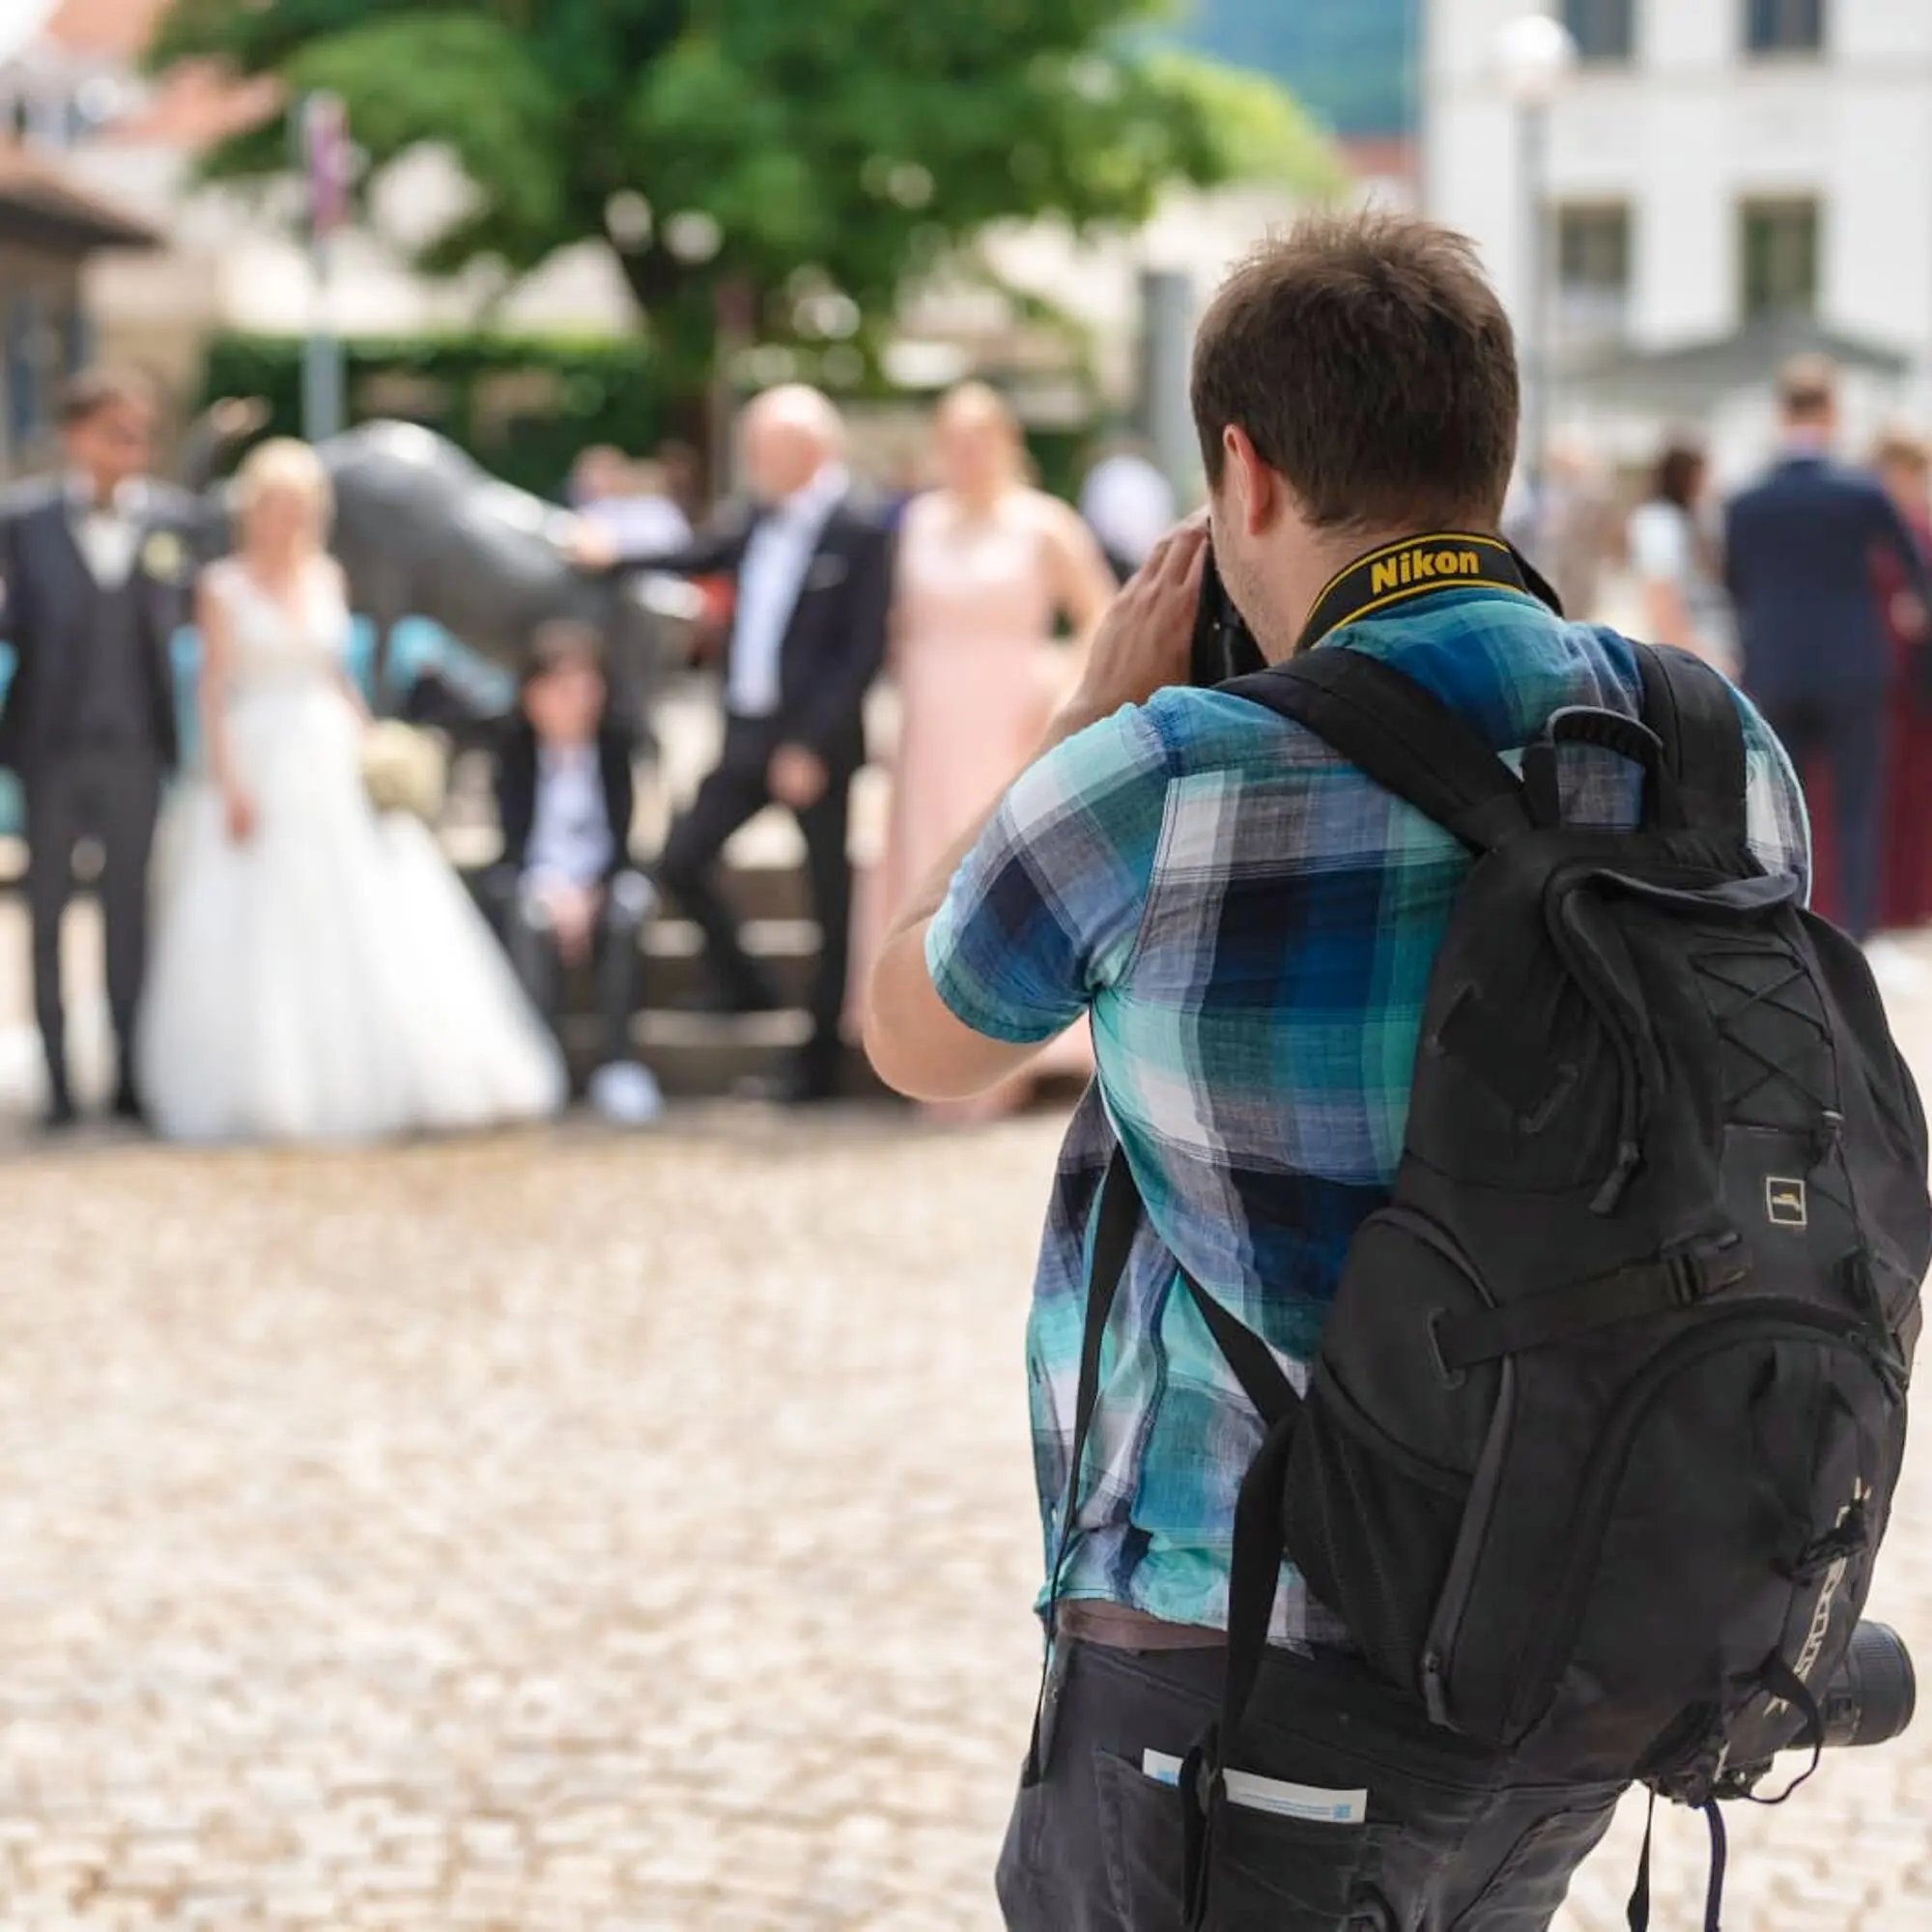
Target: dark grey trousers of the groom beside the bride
113	797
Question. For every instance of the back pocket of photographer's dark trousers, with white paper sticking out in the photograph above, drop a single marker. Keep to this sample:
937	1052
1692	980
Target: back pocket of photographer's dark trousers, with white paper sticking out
1270	1875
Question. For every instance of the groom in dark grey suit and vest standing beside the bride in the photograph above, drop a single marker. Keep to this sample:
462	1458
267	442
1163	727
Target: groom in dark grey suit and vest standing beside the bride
99	571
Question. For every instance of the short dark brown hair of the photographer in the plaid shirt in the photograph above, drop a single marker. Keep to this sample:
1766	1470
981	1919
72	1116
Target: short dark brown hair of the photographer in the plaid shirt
1371	362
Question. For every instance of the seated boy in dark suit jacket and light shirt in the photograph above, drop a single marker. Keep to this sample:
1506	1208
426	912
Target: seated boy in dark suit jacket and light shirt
565	890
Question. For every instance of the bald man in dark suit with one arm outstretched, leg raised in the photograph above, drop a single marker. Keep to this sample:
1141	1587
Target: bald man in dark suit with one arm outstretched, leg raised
814	573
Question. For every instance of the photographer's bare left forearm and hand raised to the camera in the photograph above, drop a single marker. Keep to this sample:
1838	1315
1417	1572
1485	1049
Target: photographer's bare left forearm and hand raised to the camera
915	1038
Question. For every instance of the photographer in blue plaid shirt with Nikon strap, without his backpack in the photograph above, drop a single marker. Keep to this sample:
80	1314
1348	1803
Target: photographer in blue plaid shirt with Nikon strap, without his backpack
1251	926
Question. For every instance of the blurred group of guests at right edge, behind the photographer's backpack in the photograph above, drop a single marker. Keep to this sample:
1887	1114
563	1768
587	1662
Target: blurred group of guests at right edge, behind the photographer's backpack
1811	586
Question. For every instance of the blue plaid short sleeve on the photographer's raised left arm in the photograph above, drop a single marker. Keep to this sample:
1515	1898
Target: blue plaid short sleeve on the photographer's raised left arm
1046	909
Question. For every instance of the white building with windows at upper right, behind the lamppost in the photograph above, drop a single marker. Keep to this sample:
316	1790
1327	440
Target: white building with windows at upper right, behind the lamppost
1717	169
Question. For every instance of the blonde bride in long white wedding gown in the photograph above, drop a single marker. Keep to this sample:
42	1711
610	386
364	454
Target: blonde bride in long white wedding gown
320	973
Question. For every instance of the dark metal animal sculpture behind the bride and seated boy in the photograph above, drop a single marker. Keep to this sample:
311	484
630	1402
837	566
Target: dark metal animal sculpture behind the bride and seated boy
424	532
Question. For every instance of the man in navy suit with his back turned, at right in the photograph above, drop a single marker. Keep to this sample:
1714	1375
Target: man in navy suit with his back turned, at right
1800	550
